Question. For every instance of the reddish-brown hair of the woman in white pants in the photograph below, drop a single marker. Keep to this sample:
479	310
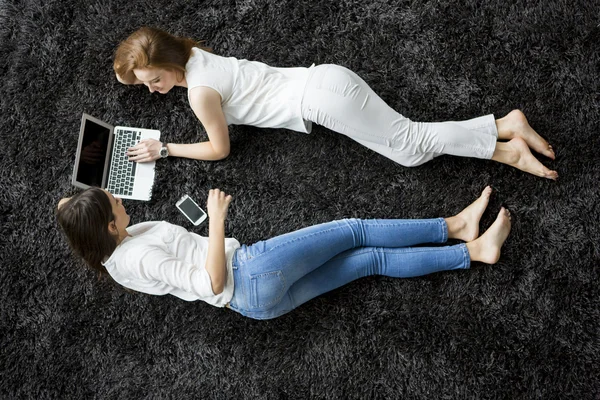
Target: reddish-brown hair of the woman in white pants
153	48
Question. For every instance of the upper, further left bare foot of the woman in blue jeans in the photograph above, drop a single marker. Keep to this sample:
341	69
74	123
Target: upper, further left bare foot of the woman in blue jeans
465	225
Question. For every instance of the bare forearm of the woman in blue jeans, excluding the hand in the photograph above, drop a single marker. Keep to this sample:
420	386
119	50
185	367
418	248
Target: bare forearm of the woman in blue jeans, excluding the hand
216	262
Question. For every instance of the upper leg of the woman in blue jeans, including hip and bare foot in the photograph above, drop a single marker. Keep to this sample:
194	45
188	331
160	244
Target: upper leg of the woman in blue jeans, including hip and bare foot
267	270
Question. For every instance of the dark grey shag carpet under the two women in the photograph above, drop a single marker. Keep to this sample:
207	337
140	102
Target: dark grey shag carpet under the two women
527	327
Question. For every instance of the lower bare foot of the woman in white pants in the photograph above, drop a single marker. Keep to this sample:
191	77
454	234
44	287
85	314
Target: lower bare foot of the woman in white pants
516	153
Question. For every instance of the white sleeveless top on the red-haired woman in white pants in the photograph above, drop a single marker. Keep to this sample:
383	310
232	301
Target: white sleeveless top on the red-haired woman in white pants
252	93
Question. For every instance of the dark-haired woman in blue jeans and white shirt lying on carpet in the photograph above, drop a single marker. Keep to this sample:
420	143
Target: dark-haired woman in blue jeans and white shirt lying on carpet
271	277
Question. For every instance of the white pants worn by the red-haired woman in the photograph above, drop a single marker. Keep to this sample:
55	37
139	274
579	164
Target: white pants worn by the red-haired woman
340	100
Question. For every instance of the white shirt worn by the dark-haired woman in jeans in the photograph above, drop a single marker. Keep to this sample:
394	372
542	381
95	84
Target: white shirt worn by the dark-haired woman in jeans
161	258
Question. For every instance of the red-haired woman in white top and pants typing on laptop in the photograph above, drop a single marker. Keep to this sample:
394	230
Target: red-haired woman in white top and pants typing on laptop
224	91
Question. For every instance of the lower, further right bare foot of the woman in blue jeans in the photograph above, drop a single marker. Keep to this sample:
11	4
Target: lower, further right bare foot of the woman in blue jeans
487	247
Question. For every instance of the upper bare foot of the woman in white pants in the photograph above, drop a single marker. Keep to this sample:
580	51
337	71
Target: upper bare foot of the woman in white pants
514	124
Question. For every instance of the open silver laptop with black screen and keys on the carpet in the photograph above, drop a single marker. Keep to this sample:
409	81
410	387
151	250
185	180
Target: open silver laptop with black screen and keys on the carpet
101	161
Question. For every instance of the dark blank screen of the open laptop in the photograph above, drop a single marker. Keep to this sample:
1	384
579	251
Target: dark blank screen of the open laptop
93	154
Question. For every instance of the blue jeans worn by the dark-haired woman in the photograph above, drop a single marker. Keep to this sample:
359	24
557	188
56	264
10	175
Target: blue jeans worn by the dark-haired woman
274	276
